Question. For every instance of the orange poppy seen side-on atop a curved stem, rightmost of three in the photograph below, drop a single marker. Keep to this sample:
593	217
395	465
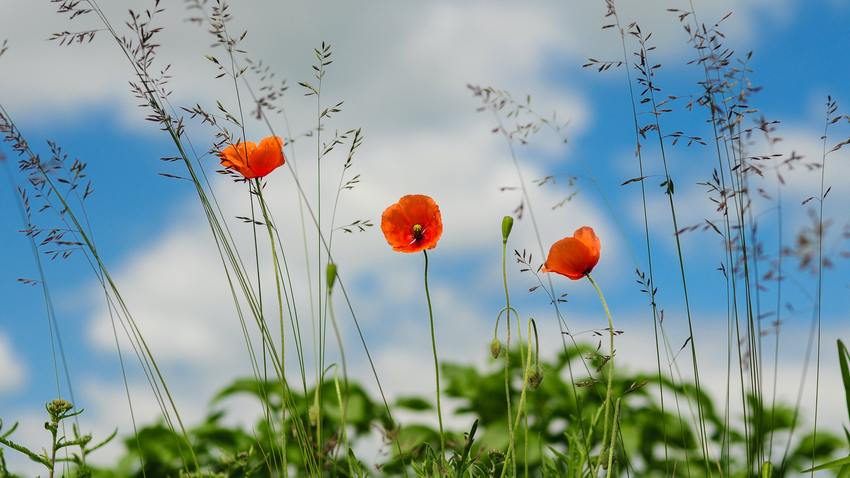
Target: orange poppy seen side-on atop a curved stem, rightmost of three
575	256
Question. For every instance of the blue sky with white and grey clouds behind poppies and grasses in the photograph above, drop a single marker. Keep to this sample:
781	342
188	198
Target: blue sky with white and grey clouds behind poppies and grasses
401	69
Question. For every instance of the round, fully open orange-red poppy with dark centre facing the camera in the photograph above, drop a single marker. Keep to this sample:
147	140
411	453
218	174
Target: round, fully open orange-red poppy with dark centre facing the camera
412	224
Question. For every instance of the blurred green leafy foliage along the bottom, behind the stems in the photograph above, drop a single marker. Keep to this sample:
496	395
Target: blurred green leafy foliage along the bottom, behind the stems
562	437
